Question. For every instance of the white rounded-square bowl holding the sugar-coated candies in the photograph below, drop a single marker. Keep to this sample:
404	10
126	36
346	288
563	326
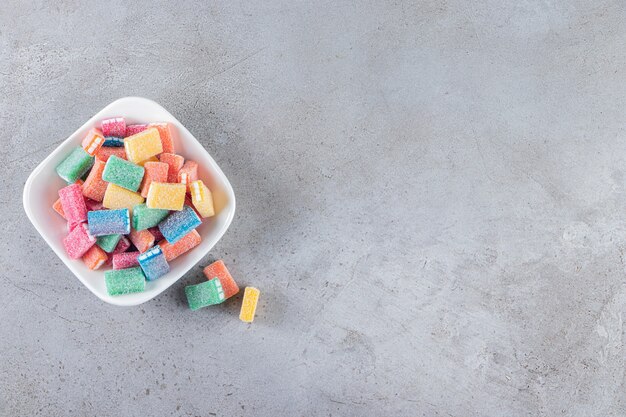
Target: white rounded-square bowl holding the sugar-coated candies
42	186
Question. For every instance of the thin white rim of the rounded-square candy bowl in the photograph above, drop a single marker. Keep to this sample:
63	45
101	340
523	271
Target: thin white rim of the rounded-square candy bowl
136	298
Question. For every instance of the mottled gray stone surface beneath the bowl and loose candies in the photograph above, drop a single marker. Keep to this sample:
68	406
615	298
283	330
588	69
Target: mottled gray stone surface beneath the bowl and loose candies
431	198
